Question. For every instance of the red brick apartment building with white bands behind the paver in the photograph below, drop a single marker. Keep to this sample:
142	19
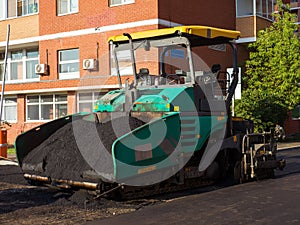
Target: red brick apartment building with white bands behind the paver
68	39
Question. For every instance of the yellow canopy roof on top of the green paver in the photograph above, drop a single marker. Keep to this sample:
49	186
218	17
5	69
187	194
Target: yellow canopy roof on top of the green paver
202	31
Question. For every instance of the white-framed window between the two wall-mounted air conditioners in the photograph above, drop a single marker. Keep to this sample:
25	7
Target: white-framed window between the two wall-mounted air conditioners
68	61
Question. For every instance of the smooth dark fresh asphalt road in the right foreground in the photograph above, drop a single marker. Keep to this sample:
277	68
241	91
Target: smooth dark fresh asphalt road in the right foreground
273	201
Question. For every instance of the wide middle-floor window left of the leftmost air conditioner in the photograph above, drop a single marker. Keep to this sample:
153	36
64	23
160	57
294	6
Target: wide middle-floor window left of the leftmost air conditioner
20	65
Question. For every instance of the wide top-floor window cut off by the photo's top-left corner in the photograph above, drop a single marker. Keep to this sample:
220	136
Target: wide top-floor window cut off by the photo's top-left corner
14	8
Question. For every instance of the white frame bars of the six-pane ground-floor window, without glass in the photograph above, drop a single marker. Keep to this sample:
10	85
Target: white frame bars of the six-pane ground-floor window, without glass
54	103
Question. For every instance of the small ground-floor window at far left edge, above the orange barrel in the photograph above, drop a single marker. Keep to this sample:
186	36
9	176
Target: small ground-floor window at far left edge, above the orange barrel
9	112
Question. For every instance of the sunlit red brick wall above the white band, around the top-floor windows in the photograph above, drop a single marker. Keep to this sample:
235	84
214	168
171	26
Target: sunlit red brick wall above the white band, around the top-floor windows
94	13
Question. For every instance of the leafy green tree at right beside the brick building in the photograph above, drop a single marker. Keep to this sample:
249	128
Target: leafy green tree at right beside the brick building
272	73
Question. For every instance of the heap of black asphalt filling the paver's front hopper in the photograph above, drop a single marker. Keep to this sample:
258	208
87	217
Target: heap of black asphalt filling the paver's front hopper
59	156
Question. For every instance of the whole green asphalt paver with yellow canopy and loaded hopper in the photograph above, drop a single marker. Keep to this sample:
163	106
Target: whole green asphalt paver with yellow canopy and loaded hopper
170	126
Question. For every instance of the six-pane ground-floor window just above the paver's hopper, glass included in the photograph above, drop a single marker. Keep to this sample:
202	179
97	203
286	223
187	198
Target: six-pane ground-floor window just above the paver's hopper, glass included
46	107
